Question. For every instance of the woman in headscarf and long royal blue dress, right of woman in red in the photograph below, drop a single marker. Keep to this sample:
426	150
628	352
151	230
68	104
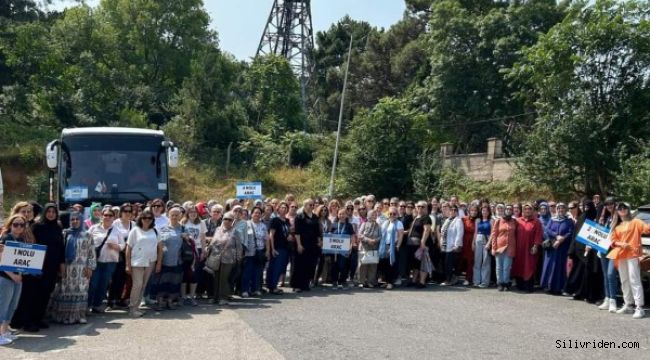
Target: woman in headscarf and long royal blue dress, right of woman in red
560	232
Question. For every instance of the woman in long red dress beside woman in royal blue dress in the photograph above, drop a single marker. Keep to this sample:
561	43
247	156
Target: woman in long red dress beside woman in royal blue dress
529	242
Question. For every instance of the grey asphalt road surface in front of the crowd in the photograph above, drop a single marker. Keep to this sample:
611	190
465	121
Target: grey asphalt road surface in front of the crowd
437	323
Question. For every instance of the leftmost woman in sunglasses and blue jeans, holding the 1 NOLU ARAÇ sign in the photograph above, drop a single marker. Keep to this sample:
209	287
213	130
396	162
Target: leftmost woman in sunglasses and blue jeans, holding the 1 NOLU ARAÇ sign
10	282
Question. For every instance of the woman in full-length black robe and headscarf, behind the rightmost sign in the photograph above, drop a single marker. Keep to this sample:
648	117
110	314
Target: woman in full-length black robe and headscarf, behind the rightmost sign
585	280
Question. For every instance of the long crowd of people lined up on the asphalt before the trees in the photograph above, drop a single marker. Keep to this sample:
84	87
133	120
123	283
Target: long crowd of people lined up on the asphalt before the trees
161	255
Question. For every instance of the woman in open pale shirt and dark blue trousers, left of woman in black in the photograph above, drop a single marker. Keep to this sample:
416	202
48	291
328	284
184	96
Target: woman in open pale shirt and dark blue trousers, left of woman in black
254	254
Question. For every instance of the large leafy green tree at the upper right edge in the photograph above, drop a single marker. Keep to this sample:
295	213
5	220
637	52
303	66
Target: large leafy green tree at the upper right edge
588	81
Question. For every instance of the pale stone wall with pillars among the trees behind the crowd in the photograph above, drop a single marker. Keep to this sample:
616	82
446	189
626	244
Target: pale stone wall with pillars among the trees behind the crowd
489	166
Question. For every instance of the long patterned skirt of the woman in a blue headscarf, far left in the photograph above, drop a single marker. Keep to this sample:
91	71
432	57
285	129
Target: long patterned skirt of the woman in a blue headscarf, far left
70	298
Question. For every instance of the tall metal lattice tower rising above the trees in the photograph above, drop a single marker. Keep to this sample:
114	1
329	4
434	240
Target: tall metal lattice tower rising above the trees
289	33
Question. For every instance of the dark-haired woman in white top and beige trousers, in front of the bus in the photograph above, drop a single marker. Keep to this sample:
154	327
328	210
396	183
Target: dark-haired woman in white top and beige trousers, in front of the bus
143	255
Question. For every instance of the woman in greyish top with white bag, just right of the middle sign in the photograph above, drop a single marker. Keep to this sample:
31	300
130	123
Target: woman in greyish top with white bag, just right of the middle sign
369	237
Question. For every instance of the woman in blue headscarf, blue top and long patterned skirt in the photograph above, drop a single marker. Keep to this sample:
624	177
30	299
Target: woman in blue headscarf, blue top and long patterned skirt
70	299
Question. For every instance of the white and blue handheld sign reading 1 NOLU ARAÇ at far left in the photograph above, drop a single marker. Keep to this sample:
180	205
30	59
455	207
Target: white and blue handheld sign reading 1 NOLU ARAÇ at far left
23	258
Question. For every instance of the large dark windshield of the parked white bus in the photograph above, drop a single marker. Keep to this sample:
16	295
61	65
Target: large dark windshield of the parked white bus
112	168
